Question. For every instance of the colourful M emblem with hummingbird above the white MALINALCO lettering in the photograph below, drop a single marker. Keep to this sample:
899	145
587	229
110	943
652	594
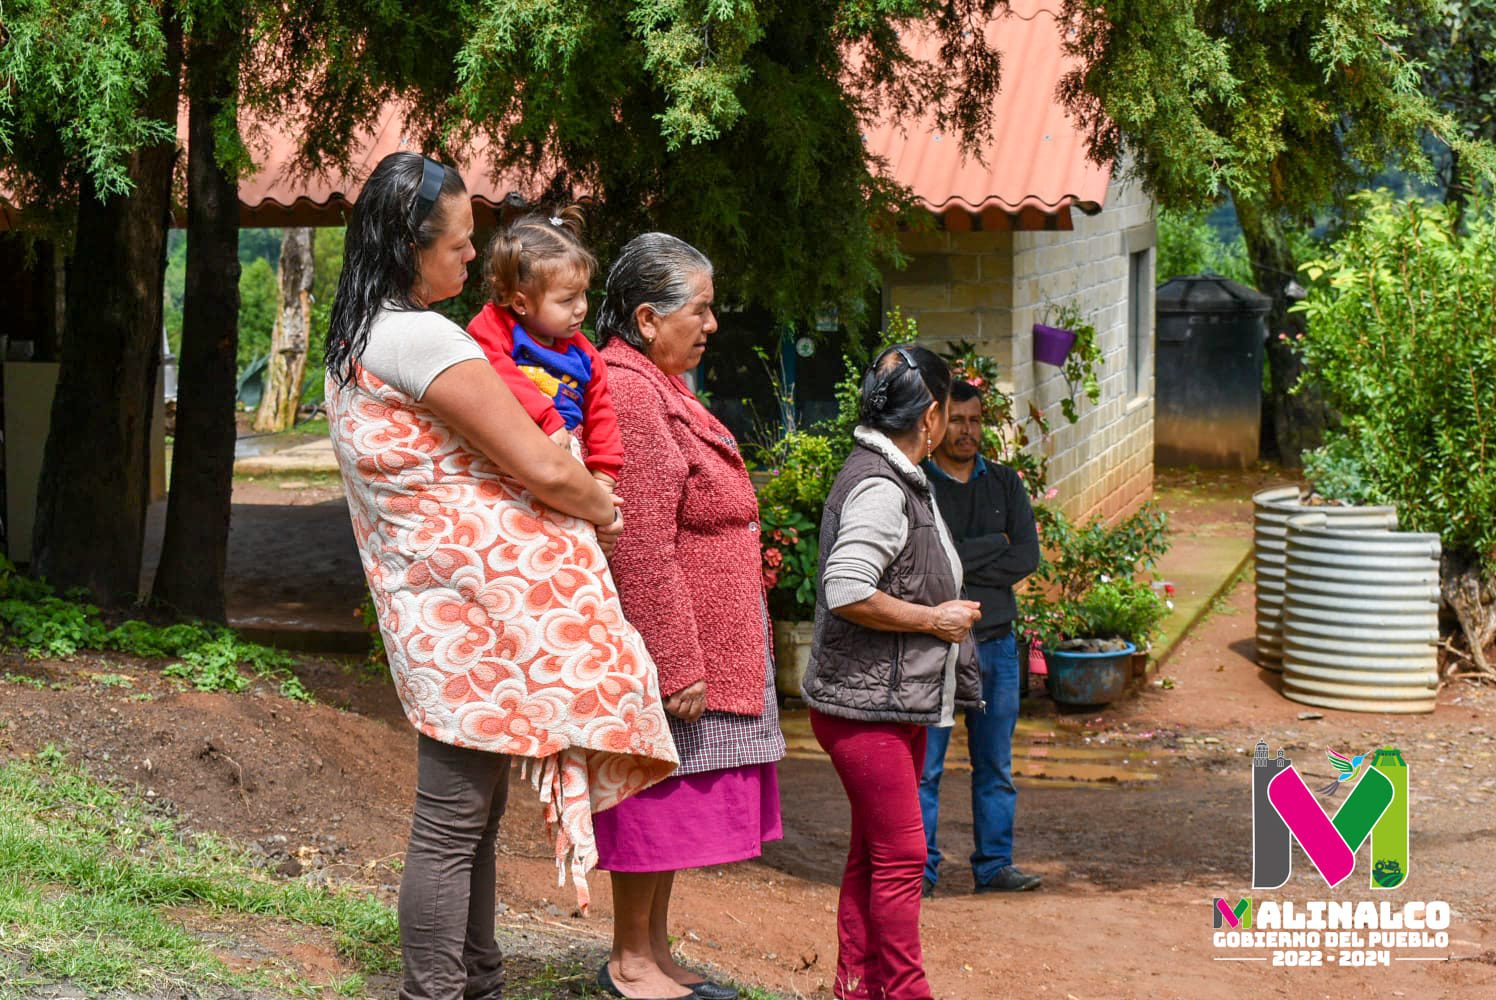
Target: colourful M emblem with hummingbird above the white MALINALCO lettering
1284	811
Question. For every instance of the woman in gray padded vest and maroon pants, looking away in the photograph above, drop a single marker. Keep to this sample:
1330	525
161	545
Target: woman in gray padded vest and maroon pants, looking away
892	656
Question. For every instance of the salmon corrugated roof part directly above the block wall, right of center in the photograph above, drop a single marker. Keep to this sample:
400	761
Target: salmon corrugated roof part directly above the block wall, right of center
1036	162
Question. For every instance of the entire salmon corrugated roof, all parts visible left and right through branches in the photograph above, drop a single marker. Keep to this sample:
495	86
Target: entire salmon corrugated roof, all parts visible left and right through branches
1028	177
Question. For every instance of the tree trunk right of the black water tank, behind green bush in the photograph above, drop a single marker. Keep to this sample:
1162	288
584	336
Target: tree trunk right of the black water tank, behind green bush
1295	423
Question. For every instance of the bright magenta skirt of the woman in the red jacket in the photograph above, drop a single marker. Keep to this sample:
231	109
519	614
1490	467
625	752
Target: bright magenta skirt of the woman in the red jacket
692	821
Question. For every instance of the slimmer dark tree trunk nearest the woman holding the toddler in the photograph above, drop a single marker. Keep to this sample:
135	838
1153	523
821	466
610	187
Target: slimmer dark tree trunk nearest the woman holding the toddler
195	552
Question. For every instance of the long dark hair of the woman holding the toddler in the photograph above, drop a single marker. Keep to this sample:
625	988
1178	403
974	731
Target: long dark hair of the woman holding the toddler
379	255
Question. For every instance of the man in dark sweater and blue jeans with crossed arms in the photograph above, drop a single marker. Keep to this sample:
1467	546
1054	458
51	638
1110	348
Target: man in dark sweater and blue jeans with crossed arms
993	525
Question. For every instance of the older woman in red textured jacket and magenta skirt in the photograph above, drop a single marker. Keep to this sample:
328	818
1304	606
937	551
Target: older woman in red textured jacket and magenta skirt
689	576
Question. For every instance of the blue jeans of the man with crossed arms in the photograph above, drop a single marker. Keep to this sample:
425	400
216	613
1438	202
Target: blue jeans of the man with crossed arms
990	739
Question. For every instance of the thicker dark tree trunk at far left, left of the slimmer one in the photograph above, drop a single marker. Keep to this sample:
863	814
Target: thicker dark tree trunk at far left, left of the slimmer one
91	519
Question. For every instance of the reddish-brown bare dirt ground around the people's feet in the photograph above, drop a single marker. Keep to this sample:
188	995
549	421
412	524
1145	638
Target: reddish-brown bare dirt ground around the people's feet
1138	818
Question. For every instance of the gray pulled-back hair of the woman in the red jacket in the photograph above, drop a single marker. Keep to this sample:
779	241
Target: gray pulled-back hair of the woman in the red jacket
654	270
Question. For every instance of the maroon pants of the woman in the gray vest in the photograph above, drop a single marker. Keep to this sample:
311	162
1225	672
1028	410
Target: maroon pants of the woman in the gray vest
879	914
